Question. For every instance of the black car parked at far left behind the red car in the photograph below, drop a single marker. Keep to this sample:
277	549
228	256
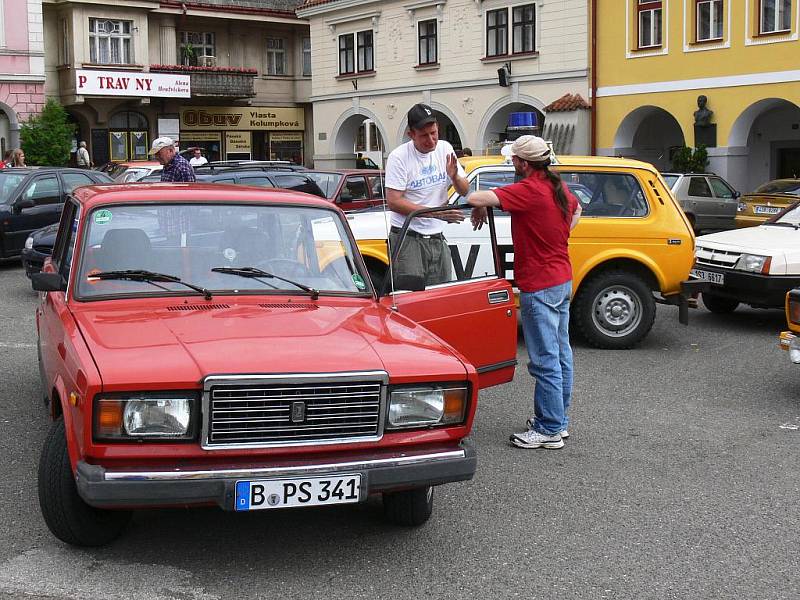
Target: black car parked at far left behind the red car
31	198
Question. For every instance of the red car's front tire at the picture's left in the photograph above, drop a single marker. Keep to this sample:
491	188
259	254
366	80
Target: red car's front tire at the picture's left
67	516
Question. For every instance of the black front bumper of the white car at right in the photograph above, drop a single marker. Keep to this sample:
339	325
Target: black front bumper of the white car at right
762	291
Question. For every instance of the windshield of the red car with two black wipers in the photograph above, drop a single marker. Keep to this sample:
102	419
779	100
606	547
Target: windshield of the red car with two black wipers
302	245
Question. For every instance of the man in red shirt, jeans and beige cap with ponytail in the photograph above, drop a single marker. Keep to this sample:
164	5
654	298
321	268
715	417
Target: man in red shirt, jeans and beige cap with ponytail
543	212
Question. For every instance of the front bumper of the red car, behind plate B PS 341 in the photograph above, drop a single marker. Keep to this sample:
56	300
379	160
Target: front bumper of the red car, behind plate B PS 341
380	472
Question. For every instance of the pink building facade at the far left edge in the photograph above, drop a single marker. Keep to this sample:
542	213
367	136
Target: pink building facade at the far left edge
21	67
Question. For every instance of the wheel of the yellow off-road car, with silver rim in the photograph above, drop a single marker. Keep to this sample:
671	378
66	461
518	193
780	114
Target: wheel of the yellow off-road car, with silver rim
614	310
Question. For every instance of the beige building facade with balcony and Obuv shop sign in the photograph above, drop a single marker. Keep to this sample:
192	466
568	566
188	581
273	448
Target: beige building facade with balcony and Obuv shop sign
230	76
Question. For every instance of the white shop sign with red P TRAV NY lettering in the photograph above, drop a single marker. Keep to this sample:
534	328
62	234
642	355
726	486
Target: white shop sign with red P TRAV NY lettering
123	83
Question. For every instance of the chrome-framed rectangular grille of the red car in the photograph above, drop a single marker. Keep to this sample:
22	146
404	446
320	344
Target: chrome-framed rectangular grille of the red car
288	411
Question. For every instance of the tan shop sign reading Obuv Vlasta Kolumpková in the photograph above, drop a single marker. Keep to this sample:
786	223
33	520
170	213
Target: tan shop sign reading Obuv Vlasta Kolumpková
243	118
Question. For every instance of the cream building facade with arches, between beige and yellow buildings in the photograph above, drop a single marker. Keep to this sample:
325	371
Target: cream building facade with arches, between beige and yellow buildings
373	60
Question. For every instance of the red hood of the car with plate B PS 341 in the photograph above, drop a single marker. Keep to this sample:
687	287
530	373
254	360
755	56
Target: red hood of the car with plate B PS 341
138	345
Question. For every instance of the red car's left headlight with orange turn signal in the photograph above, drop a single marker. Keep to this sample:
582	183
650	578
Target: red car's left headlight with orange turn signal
148	415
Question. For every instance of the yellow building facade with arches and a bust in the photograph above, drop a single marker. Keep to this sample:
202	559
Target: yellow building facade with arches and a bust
655	58
